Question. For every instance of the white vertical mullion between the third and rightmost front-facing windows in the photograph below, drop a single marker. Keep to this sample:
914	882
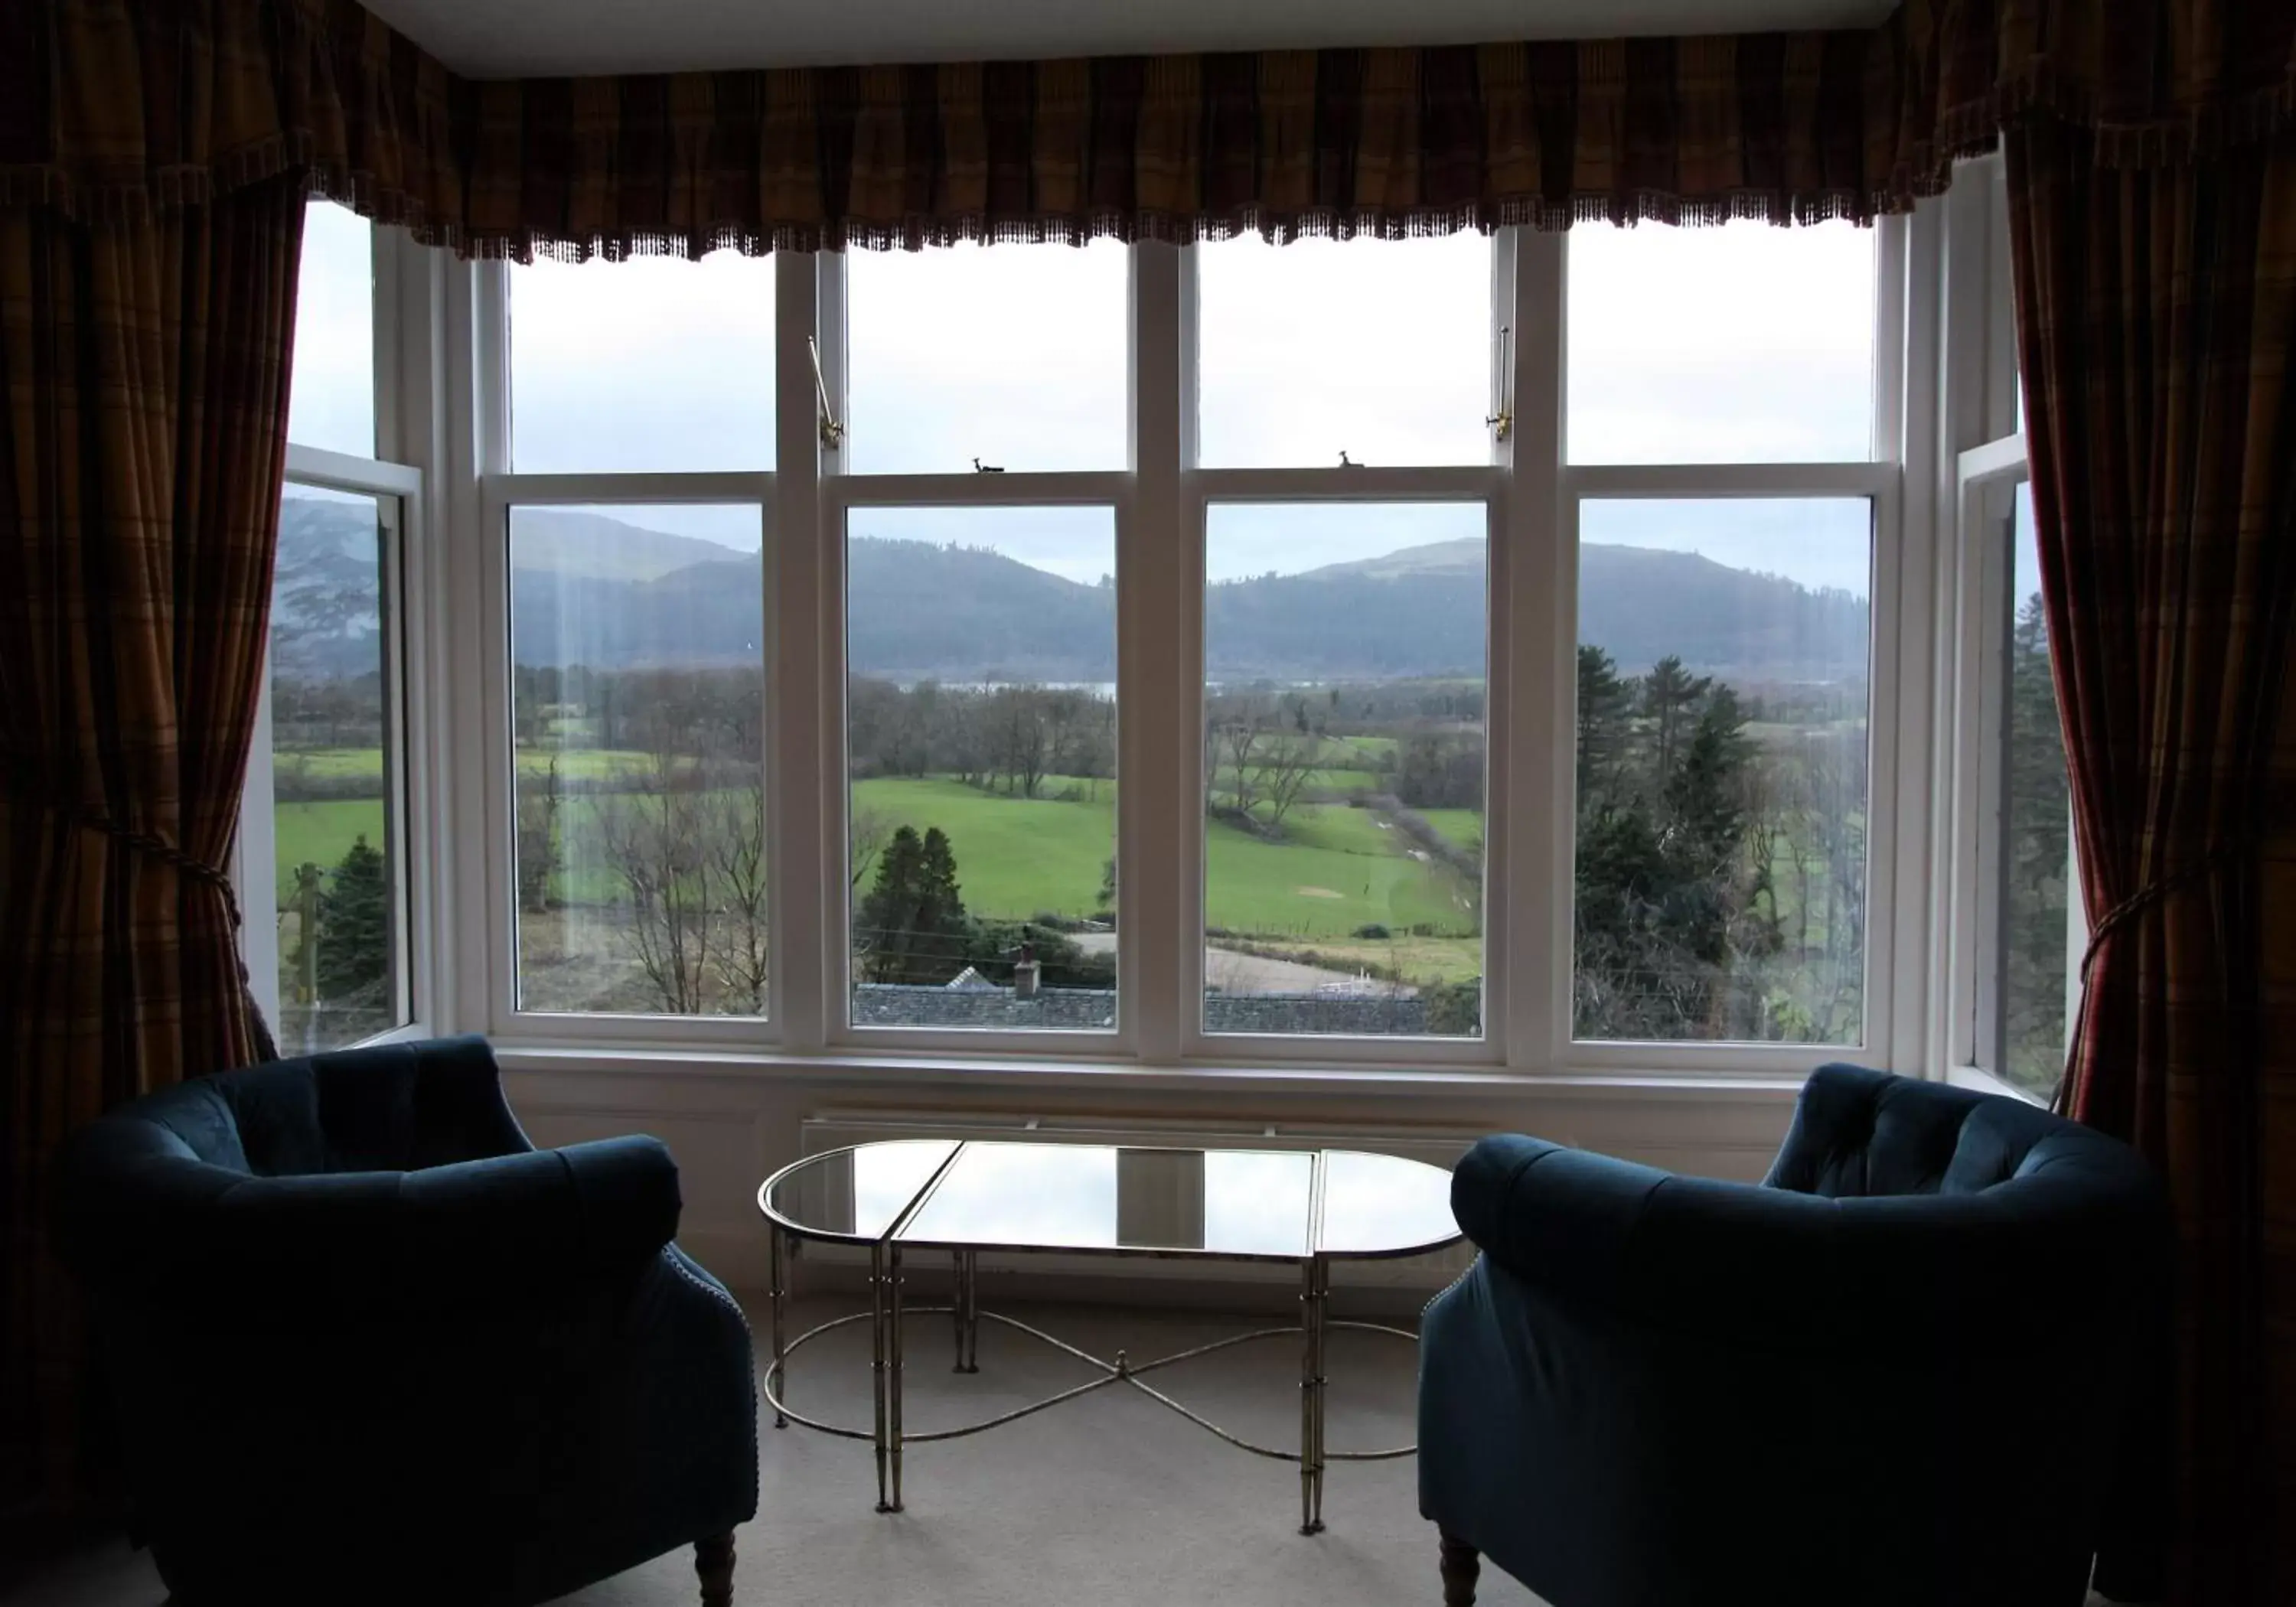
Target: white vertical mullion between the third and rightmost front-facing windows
1530	841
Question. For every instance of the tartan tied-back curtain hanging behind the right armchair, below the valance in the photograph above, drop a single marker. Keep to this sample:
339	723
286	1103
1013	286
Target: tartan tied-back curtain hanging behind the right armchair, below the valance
2157	323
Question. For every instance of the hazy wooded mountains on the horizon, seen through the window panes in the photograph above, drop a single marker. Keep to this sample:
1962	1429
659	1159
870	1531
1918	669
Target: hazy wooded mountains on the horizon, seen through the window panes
589	589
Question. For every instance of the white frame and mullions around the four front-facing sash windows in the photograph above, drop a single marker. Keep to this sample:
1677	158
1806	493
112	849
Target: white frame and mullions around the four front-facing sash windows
1161	502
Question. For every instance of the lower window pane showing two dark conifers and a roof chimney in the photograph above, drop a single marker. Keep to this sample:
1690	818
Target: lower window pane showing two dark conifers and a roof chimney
982	736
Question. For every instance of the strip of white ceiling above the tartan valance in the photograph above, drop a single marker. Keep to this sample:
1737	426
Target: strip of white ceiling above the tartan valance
548	38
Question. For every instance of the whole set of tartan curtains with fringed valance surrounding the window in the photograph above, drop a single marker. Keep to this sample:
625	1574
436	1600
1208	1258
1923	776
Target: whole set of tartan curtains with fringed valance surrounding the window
153	157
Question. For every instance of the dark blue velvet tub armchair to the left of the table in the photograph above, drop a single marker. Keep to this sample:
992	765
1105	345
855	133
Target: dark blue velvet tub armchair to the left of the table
373	1346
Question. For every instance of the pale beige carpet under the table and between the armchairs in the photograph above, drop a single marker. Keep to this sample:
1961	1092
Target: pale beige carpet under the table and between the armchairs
1103	1503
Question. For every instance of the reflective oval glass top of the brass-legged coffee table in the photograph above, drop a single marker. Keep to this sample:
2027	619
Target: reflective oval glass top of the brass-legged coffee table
1106	1197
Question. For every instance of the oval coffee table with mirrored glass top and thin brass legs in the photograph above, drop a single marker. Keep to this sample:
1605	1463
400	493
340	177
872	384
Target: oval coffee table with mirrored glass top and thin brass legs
906	1197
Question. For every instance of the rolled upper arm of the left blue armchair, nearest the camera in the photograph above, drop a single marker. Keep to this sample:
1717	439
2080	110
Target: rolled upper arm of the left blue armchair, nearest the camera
504	1229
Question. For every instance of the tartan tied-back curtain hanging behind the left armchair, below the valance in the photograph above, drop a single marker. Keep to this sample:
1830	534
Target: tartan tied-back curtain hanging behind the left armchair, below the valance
143	362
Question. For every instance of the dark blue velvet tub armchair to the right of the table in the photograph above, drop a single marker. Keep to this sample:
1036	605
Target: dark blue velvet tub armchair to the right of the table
1893	1376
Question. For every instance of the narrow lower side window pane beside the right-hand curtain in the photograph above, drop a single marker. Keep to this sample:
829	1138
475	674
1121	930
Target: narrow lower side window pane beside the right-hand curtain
2038	834
